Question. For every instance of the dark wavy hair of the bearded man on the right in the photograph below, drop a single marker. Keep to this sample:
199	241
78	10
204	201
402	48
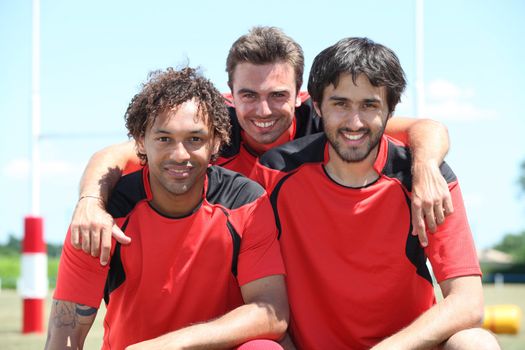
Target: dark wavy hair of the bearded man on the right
357	56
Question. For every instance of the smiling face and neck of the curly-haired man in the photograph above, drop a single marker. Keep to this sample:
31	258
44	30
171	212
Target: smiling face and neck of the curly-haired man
178	146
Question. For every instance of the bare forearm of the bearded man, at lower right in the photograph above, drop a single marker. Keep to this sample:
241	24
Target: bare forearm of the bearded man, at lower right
456	312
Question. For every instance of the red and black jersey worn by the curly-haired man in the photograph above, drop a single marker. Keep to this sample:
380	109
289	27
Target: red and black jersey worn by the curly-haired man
177	271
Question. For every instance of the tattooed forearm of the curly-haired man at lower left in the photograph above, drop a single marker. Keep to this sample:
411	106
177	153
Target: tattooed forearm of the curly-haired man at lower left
69	324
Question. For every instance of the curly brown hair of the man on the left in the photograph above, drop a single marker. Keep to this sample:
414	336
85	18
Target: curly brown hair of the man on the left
170	88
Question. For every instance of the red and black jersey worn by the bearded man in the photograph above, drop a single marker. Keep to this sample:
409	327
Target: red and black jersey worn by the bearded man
355	272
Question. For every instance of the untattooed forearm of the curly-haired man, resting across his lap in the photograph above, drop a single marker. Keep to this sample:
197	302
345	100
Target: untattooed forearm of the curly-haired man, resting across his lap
250	321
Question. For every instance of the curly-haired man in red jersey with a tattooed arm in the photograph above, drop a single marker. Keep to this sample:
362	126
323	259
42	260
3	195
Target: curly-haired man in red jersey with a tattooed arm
204	269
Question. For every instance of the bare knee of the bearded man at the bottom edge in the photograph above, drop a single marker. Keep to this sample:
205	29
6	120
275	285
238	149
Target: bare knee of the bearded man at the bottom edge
471	339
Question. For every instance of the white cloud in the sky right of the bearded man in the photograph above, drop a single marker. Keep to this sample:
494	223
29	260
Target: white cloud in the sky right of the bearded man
447	101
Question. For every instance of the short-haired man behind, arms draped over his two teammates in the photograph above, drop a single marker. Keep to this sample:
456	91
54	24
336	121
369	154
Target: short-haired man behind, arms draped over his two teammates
265	69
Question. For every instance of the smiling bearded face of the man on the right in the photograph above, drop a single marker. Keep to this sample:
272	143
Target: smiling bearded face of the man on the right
354	117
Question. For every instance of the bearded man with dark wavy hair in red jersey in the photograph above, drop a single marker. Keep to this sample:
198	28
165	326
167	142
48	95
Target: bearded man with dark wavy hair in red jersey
356	276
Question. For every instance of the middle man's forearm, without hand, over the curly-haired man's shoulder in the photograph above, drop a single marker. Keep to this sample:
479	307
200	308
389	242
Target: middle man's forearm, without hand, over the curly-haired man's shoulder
104	170
